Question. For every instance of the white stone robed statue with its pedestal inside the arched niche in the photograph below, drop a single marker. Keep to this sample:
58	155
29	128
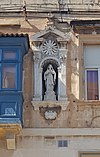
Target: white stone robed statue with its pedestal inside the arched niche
50	78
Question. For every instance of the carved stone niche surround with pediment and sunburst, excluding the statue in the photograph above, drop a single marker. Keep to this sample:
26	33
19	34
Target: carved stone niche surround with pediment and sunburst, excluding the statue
49	47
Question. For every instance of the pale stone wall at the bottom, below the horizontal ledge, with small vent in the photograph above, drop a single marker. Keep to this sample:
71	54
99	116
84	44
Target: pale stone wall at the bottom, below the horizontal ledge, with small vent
40	146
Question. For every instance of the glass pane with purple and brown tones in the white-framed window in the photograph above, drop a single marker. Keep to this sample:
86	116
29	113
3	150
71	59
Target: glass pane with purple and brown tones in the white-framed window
92	85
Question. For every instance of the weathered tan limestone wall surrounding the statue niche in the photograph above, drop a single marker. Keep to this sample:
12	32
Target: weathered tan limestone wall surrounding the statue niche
78	113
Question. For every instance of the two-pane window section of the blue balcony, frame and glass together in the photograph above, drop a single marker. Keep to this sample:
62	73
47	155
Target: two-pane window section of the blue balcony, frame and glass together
10	69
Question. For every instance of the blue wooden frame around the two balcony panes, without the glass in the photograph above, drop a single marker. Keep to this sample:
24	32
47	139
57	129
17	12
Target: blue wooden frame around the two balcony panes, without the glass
10	62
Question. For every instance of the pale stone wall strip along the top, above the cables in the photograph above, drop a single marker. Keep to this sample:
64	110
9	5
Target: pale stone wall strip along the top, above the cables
49	5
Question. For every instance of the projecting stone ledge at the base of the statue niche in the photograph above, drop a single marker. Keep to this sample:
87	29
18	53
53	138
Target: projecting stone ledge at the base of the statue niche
38	104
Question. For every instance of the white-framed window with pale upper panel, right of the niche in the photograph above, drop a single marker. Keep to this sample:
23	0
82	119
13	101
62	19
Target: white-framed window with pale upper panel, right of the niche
92	72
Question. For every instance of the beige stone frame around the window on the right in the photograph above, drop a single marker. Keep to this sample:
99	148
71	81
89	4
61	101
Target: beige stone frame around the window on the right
85	40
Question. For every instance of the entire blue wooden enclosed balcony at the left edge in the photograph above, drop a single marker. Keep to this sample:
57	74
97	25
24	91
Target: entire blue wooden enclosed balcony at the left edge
12	50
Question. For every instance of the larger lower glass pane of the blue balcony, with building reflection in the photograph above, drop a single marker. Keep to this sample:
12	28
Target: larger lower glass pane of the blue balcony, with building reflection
9	77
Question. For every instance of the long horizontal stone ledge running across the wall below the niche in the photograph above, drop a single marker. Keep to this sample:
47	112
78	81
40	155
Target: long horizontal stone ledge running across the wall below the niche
61	132
